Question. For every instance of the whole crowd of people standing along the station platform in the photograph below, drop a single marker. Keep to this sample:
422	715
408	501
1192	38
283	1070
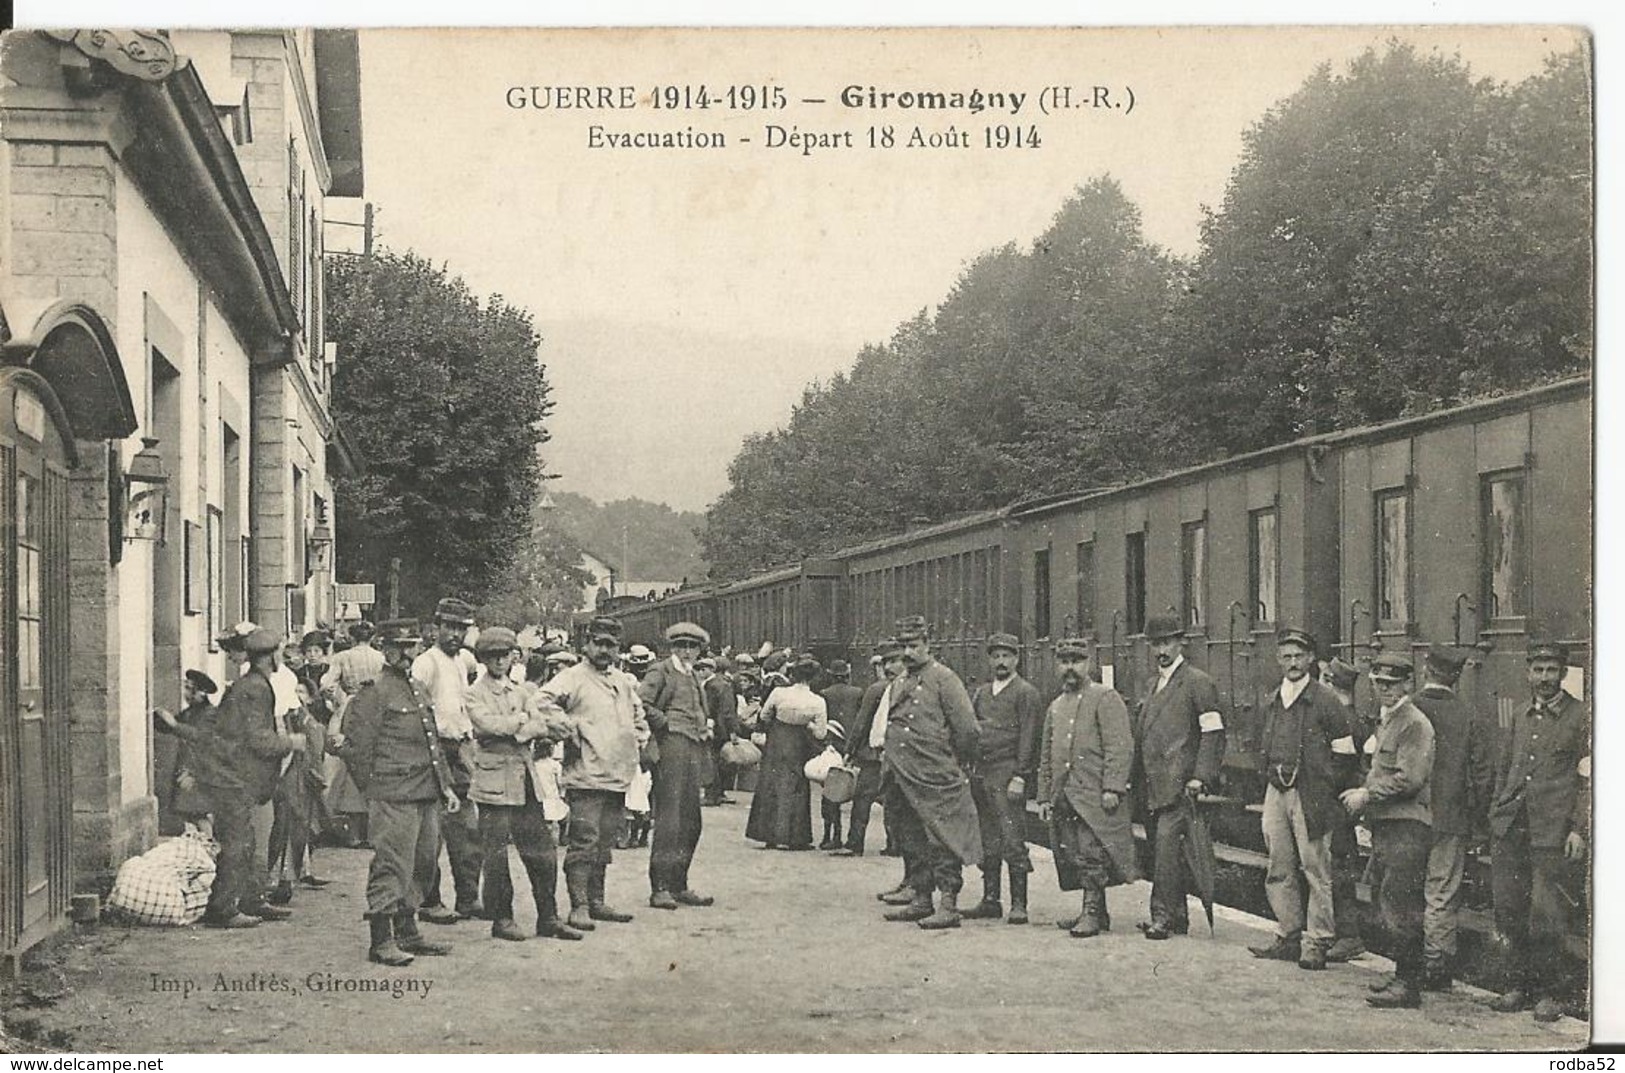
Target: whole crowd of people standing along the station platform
462	741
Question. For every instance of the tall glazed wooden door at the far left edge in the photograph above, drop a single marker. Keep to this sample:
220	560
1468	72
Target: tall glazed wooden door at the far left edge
33	625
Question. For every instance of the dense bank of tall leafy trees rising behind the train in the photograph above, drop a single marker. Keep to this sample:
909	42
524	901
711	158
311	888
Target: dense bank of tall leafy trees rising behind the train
1395	238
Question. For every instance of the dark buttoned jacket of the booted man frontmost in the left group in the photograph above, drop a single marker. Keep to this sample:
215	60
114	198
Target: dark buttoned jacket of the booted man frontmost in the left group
392	745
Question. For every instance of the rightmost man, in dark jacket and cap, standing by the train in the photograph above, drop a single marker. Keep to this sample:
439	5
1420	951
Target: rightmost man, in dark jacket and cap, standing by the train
1541	822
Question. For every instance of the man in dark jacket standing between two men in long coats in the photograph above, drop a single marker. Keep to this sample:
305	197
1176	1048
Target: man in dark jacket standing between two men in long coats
1010	715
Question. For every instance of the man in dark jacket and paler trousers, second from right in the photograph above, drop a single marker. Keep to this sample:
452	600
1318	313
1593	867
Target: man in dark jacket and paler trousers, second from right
1463	776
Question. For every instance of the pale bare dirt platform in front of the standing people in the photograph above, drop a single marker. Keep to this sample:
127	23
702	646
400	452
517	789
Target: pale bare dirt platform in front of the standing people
794	958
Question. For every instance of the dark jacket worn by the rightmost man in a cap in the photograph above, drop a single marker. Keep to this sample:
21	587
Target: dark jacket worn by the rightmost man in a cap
1545	768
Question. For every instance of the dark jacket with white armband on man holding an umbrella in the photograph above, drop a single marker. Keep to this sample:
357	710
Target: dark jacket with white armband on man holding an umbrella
1181	736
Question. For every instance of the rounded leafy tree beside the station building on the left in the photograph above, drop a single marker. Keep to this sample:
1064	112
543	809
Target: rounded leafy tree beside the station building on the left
446	401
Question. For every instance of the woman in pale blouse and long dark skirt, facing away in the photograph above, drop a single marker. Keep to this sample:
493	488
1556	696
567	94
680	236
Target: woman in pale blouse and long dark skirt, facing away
794	721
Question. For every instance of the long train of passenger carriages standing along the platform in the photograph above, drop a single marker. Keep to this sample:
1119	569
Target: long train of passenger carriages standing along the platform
1467	526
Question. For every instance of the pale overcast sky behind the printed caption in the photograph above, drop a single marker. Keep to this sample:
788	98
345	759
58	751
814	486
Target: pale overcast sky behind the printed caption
687	297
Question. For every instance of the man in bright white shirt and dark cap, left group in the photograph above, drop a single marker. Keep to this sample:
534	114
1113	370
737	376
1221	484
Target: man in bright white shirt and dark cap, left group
443	674
